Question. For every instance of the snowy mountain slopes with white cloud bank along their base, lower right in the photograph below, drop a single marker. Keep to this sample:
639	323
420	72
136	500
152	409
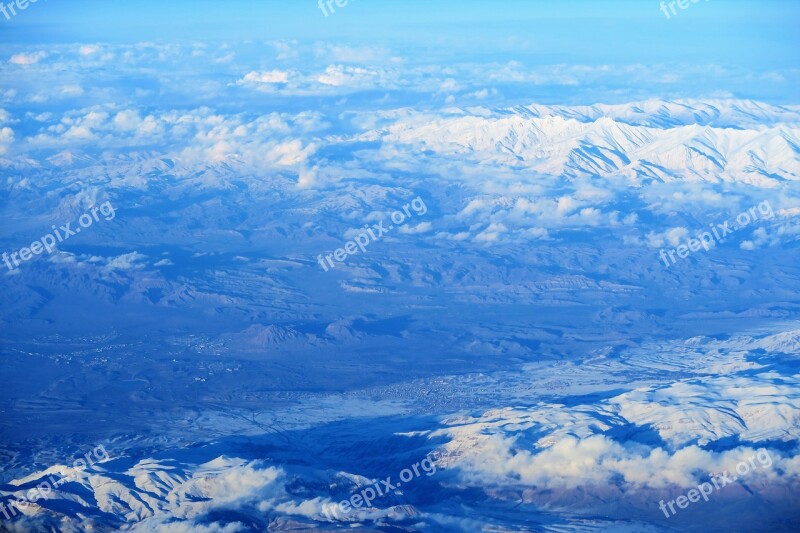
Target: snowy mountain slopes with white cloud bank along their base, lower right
560	447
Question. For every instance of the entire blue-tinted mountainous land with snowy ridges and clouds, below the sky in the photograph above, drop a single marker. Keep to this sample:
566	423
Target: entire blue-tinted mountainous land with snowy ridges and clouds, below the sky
522	330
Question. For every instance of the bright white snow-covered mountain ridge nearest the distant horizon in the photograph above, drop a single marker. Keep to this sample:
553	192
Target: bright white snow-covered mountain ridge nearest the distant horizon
603	141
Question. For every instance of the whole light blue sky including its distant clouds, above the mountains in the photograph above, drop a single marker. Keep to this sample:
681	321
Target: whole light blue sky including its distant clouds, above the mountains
568	52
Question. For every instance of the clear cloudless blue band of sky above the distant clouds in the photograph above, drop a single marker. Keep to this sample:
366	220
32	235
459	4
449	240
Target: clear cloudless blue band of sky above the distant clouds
620	31
